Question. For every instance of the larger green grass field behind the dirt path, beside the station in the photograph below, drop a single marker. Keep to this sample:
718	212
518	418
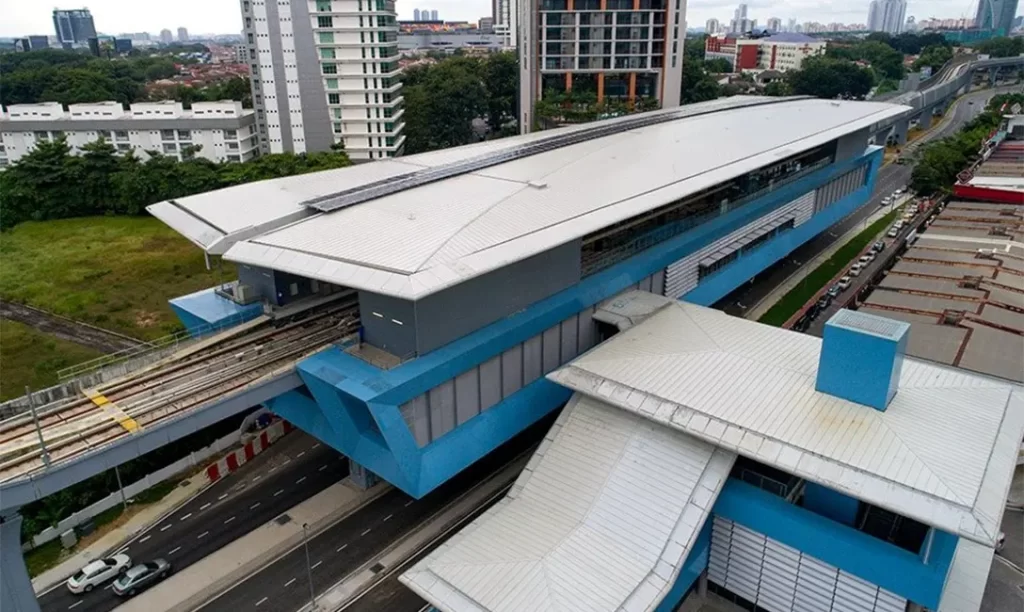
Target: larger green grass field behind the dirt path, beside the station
115	273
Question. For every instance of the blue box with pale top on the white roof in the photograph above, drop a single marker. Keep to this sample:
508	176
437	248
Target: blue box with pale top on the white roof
862	358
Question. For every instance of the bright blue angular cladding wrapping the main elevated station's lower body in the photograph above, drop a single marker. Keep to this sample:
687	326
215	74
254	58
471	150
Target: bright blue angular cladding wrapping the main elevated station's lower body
361	403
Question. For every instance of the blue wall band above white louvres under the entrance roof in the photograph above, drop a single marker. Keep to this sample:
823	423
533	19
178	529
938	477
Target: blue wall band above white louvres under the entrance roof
860	554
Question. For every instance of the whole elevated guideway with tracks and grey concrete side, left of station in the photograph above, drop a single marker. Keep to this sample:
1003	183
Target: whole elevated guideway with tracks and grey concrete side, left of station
118	421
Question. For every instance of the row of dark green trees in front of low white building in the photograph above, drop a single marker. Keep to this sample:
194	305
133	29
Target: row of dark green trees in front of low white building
51	183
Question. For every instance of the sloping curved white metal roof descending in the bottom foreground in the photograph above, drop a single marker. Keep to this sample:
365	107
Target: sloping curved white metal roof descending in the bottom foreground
602	519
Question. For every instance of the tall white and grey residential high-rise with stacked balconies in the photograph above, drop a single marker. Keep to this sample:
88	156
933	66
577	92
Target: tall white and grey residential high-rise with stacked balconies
326	72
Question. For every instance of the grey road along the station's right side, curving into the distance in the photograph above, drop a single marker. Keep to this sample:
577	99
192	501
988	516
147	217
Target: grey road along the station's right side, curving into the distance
889	180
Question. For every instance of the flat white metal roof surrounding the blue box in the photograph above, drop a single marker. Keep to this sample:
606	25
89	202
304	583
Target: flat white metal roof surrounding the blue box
943	453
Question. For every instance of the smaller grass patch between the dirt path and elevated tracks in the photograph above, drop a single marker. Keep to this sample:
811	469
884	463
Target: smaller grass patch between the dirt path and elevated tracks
33	359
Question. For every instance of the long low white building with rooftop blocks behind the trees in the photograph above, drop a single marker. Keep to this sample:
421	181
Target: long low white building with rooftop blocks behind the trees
221	132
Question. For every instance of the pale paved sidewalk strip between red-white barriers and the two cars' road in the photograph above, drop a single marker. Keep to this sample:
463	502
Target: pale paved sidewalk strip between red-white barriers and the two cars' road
134	528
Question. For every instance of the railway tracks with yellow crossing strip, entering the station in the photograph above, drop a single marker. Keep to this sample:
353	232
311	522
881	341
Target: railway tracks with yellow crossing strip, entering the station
185	382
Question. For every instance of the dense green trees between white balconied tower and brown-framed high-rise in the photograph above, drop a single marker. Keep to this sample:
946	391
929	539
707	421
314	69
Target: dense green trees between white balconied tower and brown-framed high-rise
443	100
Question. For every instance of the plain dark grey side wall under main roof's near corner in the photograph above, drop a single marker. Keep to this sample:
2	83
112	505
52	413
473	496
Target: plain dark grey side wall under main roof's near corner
459	311
